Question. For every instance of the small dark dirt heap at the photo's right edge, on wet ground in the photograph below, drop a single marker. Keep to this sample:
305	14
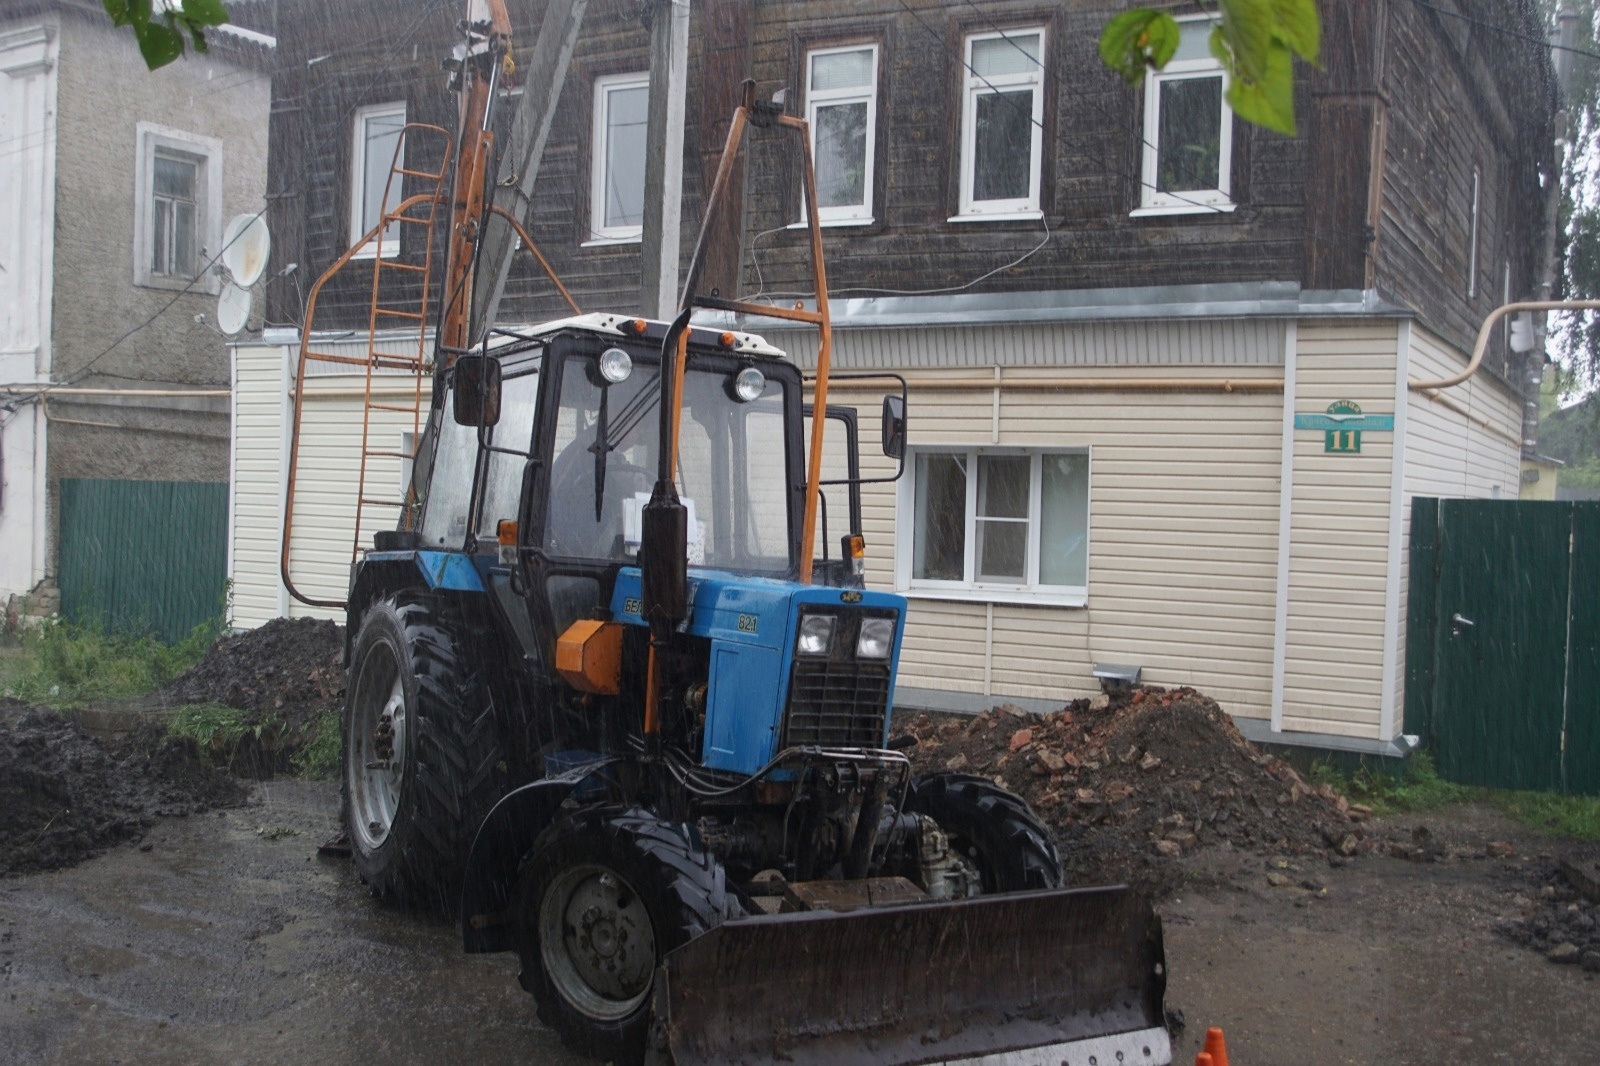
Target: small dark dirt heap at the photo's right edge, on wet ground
1561	915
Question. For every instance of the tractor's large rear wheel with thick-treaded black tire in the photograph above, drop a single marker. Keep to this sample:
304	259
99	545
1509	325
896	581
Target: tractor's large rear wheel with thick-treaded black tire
423	761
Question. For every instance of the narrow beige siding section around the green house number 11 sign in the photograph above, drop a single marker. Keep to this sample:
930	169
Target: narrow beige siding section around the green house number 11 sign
1334	665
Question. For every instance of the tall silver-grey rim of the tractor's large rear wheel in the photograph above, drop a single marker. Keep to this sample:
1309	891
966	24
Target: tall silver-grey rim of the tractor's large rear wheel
378	747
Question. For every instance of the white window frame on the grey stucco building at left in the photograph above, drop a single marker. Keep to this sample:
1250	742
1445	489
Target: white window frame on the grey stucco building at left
153	140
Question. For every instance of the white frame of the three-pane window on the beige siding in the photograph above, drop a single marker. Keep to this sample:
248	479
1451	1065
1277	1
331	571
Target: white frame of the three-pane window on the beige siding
970	590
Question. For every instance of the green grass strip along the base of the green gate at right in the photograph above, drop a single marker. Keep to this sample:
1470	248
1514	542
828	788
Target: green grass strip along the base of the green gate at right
1420	790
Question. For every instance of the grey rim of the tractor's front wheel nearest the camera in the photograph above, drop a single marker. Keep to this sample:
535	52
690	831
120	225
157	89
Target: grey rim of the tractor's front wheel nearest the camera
598	944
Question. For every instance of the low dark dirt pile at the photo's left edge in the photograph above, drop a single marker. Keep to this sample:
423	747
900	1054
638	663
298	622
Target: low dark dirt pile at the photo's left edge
66	796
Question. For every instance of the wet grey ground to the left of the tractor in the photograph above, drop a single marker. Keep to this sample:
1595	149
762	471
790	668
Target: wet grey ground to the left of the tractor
231	942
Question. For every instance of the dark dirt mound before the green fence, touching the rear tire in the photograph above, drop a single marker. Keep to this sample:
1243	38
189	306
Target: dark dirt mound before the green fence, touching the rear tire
290	670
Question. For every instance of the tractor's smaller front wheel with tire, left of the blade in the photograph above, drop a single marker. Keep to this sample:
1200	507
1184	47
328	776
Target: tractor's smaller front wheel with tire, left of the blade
604	896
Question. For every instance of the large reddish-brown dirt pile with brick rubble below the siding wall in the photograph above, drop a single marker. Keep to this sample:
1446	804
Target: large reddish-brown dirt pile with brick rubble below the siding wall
1134	783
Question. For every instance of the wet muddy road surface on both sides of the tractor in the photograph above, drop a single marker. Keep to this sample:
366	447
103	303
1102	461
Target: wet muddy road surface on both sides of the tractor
231	942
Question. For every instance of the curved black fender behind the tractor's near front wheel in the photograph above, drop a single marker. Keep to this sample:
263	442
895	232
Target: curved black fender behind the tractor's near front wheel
490	886
